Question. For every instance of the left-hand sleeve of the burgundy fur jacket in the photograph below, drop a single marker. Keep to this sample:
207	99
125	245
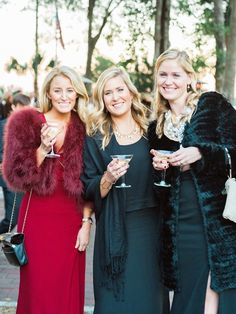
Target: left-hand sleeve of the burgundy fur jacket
21	140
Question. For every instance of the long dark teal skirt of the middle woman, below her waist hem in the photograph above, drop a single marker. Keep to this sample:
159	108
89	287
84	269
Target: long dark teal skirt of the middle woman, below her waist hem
143	291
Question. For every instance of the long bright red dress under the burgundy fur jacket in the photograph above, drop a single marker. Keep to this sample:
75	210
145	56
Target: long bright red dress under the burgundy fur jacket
53	280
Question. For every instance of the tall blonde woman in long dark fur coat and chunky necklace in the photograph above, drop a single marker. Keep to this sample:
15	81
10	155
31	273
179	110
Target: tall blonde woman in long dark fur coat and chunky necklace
199	245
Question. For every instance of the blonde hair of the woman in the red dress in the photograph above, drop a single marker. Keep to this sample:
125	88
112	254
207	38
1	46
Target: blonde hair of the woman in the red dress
77	83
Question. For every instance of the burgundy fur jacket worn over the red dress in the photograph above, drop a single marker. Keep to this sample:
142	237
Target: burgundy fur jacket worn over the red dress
22	138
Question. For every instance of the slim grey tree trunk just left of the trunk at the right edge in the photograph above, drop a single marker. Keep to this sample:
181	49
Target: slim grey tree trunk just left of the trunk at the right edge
219	34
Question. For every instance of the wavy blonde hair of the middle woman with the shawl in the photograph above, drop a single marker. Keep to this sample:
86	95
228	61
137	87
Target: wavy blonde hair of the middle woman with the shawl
99	120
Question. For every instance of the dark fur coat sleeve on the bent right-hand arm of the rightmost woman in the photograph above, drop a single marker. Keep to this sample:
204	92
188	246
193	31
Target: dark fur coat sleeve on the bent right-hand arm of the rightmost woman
213	128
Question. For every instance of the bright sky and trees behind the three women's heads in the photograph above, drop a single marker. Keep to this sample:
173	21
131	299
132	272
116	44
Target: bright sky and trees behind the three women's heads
91	35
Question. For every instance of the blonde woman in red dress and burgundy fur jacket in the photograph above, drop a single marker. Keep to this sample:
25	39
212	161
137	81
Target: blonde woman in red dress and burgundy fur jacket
58	221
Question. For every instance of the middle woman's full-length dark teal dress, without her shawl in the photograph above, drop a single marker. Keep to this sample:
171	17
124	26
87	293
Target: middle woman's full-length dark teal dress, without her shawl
143	291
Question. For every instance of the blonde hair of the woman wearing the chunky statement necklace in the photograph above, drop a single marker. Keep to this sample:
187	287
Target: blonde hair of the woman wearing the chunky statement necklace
161	105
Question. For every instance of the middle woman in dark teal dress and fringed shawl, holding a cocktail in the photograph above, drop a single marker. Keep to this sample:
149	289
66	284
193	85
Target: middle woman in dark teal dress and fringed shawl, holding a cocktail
127	244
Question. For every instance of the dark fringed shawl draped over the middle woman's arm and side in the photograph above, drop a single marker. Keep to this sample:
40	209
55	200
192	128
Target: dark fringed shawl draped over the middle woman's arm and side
109	212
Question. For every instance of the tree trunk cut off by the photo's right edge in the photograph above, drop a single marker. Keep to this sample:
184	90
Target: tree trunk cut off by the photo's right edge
230	62
